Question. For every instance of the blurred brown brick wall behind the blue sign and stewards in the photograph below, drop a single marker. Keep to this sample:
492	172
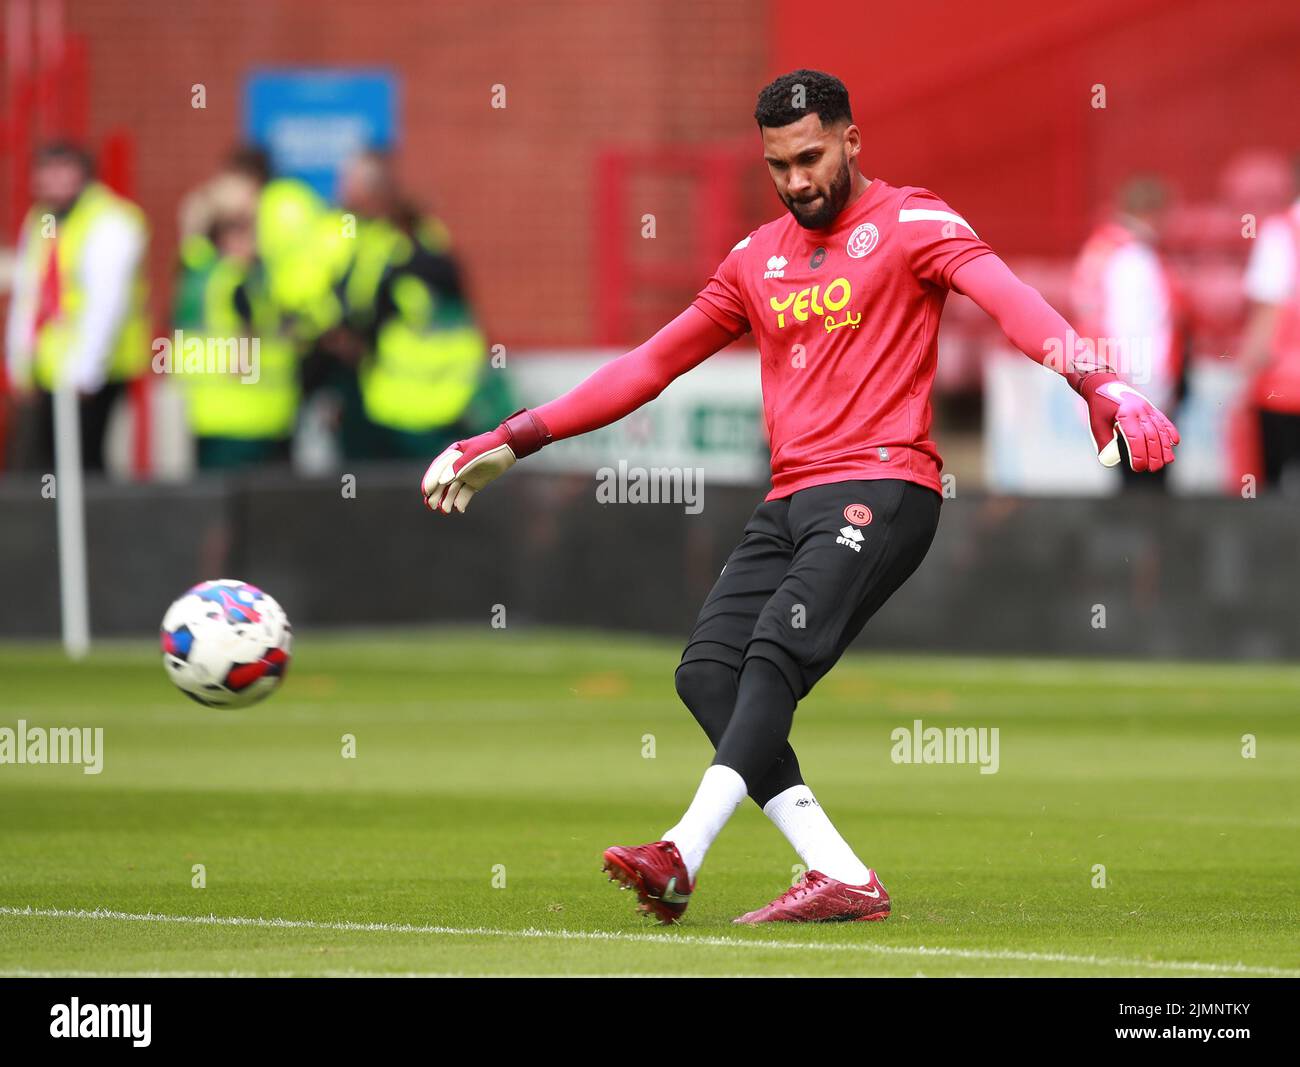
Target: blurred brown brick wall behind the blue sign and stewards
514	185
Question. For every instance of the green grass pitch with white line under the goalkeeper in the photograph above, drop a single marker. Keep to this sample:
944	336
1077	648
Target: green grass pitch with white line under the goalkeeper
493	767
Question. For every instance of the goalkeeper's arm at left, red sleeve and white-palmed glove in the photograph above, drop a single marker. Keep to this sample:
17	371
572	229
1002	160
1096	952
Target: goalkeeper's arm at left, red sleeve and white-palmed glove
613	392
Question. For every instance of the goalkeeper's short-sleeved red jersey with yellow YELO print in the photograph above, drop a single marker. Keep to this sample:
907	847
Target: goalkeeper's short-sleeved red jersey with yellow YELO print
847	323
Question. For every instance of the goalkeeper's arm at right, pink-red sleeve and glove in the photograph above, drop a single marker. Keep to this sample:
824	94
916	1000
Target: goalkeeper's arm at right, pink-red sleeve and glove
1032	326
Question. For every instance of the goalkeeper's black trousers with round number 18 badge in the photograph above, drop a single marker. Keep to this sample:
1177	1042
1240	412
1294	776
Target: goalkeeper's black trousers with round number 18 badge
805	579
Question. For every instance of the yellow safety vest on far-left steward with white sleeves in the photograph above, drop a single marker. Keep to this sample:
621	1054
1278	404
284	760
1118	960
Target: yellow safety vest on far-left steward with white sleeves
131	353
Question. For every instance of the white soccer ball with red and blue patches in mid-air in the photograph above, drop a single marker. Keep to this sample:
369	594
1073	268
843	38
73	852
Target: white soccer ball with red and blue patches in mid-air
227	644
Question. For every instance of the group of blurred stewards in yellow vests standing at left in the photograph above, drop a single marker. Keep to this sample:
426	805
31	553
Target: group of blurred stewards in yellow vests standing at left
279	296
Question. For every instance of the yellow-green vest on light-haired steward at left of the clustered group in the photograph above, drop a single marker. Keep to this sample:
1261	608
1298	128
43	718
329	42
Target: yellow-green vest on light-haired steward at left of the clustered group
220	401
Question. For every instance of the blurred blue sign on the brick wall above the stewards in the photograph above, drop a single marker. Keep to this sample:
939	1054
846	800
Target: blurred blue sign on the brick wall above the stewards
311	122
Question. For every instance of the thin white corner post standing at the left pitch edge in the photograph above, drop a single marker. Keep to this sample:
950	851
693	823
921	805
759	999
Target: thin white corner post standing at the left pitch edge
71	510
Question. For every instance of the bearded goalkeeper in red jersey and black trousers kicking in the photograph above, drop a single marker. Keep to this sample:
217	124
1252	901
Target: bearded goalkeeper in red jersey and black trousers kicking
844	294
